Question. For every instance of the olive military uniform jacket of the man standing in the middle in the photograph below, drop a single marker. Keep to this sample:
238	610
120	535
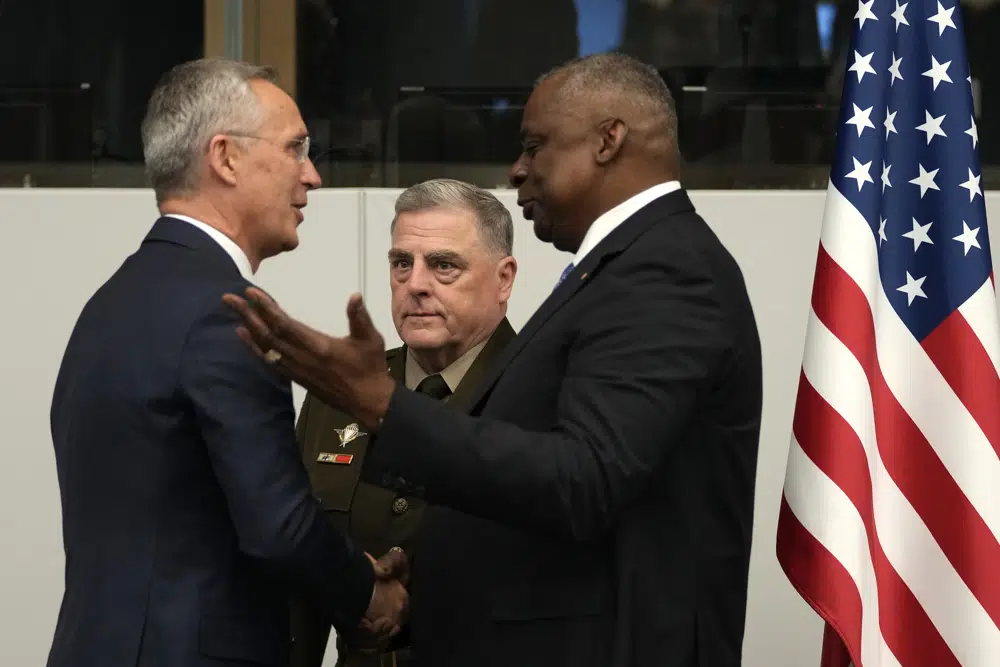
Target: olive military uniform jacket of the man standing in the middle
376	517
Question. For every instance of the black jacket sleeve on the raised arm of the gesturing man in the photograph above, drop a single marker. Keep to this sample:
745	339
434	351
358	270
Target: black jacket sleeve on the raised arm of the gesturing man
635	371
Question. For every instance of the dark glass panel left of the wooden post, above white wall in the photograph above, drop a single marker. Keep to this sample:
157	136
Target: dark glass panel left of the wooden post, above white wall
74	78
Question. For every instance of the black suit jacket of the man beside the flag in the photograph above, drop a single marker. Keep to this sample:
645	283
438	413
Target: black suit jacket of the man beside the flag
600	498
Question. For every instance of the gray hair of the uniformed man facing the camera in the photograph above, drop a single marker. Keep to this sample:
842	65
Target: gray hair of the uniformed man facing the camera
493	221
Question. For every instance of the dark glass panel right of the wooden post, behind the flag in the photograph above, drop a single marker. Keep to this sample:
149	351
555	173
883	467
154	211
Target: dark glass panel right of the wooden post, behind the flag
398	92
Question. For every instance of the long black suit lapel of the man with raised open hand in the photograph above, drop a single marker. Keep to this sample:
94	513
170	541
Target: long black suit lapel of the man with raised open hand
617	241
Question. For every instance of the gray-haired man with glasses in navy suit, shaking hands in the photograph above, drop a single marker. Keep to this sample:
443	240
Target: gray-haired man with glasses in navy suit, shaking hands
187	513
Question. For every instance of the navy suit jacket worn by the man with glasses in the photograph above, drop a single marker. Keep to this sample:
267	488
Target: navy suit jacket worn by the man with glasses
186	509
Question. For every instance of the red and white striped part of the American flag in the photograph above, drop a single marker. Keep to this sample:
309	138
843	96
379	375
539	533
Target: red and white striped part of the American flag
890	517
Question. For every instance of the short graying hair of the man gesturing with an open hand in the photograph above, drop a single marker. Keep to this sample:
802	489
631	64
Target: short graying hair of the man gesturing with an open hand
622	78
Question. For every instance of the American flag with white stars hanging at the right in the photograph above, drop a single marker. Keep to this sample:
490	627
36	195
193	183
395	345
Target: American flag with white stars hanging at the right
890	515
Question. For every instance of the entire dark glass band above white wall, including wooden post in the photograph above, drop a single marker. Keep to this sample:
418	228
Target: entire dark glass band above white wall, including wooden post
395	91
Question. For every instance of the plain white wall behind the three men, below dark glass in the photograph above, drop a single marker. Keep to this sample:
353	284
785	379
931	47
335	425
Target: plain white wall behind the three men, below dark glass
62	244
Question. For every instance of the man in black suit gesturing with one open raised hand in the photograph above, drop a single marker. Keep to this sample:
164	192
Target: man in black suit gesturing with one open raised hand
594	508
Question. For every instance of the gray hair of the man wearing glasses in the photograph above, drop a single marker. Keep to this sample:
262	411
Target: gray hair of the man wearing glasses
192	103
